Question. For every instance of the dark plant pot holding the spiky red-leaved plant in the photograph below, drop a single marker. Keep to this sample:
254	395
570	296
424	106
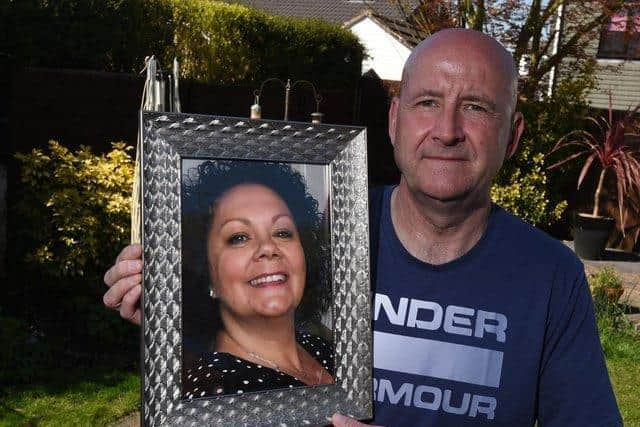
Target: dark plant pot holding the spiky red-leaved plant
590	235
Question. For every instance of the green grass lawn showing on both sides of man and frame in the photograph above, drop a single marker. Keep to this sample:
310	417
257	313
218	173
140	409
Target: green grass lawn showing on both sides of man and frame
86	398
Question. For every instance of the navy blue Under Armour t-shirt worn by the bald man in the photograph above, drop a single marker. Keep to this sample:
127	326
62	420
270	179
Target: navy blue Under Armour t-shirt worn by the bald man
501	336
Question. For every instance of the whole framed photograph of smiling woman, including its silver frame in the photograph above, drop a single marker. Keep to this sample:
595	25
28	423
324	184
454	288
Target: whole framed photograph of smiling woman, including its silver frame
256	299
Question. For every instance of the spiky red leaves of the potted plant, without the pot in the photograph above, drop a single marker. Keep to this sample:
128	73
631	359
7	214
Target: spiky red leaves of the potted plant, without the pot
616	148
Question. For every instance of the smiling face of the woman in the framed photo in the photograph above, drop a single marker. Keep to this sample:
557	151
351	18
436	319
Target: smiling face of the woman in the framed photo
255	256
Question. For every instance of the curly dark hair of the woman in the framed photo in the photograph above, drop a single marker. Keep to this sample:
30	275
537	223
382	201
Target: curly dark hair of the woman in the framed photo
201	188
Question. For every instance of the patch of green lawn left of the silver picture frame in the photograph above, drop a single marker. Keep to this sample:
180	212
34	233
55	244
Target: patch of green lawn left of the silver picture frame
92	400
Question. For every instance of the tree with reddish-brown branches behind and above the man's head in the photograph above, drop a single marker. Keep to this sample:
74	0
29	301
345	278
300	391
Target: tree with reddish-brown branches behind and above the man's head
541	34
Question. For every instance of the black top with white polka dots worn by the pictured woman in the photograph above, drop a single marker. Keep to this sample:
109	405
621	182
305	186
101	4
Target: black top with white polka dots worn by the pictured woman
216	373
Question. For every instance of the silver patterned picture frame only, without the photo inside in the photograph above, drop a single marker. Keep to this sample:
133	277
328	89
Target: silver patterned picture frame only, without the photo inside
166	139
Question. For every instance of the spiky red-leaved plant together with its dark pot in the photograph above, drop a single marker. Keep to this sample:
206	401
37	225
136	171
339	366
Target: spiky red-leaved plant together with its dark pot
614	150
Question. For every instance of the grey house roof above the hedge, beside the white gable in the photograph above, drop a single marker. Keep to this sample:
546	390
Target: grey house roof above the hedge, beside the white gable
335	11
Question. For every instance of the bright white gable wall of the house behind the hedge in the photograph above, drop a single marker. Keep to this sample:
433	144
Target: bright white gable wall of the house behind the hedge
386	54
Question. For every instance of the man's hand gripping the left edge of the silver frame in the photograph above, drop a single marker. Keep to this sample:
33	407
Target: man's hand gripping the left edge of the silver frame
124	280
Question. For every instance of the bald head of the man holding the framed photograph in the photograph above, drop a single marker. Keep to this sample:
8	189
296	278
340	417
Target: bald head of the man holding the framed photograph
454	121
